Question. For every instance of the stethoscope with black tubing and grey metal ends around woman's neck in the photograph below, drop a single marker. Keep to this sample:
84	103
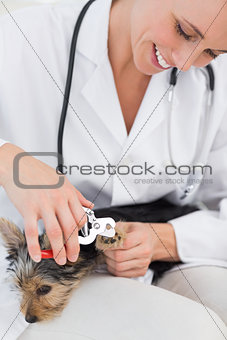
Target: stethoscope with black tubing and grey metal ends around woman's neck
190	188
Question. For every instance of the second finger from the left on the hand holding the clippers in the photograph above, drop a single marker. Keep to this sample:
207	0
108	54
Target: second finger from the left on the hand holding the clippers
55	236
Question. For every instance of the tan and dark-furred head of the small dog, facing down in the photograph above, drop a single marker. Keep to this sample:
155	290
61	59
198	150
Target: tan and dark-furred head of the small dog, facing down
45	286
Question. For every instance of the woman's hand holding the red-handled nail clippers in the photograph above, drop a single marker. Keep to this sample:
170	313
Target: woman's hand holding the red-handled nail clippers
60	209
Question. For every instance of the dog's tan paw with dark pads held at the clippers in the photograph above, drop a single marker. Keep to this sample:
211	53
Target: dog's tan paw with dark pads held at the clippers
103	242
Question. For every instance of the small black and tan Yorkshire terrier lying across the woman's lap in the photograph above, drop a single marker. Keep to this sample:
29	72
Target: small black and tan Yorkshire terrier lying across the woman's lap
46	287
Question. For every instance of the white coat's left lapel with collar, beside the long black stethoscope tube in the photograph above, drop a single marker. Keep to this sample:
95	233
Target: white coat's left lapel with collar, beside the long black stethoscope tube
99	90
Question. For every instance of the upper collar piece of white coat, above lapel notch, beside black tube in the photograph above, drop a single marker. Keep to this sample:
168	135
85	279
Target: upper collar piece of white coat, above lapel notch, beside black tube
93	36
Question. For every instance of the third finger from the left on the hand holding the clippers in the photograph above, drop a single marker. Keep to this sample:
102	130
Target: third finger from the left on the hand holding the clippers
70	231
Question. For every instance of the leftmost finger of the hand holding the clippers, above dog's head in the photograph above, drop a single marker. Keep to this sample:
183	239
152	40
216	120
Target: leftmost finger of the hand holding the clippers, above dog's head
32	237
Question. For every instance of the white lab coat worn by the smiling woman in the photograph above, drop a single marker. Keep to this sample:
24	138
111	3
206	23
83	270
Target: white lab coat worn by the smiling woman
33	68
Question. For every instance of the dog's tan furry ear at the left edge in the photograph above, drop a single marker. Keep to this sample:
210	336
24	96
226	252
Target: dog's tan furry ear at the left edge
12	236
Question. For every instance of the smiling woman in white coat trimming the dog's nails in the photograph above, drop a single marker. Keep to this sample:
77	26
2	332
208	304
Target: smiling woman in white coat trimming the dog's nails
131	115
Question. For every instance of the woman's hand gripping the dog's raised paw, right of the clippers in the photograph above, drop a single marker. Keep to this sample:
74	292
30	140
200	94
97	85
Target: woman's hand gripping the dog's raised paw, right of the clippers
145	242
